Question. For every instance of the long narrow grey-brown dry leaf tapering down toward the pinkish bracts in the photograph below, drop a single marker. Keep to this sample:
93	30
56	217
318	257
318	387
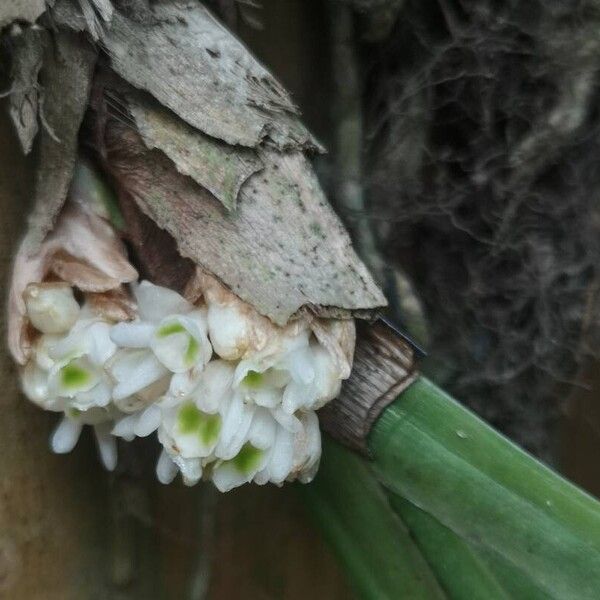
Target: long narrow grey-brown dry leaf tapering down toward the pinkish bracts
66	74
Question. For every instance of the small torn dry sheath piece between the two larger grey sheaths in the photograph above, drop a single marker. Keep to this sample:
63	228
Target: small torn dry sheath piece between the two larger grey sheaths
216	166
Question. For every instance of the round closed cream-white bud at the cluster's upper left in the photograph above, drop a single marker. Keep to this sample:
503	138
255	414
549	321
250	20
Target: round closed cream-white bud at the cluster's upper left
51	308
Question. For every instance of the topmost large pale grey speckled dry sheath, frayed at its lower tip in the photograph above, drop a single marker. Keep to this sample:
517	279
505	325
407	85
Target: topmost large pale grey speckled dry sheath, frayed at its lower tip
191	64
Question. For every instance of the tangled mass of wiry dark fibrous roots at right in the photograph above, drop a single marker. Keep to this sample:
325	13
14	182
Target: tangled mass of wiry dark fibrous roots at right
484	181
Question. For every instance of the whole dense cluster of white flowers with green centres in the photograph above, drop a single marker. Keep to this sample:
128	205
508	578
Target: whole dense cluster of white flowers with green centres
231	396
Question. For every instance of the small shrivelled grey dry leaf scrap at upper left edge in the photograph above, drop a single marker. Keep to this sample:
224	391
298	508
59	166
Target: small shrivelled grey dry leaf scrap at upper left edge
27	56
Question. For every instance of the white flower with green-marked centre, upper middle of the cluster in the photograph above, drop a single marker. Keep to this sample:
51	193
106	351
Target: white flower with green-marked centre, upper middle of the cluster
172	328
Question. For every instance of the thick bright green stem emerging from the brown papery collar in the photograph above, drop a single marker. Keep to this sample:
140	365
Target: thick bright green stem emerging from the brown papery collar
443	459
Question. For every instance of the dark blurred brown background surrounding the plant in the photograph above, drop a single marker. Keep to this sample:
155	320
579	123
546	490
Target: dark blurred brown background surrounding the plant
464	145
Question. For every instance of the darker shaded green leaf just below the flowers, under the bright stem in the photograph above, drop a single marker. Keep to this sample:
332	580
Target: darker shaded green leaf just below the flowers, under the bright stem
376	550
